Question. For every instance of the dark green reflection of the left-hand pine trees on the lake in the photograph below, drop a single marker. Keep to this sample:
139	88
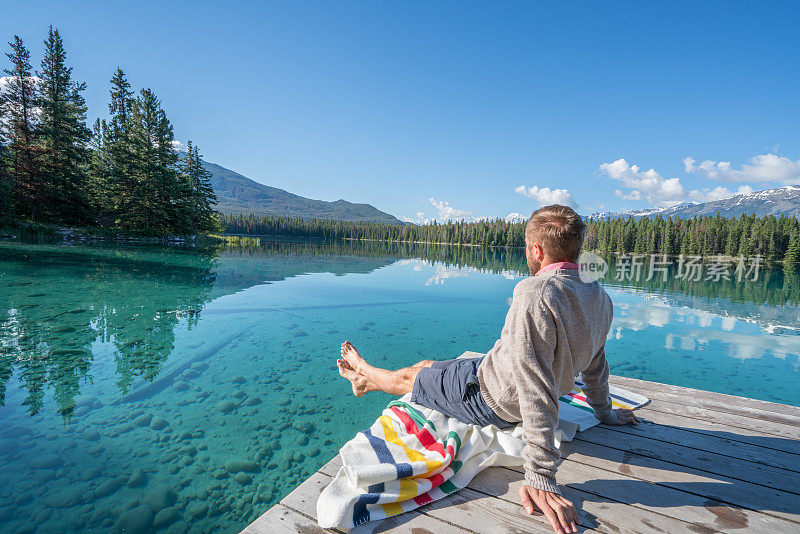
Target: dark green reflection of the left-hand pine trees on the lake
59	301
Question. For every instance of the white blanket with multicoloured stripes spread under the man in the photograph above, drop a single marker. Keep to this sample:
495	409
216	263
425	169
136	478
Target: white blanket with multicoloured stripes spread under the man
413	455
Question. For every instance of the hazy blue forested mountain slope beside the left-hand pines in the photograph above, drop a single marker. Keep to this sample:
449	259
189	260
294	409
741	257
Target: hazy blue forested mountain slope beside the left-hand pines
239	194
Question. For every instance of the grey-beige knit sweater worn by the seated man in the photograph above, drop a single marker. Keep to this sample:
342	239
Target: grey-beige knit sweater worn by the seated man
556	328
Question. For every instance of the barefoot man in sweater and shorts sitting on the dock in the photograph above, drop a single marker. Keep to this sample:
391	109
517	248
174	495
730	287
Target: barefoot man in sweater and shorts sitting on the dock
555	328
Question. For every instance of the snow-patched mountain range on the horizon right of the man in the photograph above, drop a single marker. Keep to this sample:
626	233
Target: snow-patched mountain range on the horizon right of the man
780	201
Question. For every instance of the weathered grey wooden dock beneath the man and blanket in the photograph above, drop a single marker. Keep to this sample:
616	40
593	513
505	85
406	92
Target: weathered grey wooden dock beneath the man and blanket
703	462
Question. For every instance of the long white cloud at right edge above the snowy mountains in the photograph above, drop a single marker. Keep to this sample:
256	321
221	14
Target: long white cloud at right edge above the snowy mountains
761	168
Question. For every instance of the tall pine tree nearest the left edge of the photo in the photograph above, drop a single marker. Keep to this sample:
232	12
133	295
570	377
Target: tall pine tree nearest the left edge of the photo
19	100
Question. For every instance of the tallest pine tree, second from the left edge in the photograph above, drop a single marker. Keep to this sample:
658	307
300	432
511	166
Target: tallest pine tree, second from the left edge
63	135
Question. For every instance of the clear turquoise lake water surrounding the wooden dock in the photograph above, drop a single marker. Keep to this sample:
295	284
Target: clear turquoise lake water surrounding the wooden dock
180	390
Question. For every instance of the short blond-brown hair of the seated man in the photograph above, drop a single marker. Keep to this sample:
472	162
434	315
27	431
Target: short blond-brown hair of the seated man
559	230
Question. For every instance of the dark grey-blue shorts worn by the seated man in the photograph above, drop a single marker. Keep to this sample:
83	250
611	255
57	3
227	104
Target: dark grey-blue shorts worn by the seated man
451	387
